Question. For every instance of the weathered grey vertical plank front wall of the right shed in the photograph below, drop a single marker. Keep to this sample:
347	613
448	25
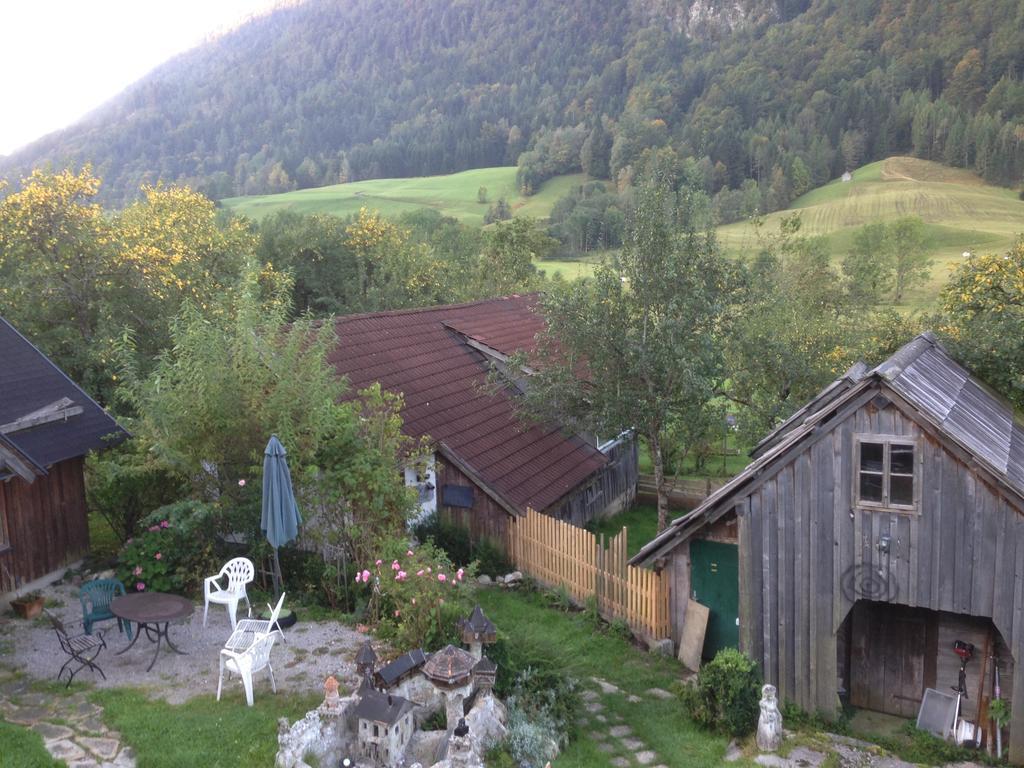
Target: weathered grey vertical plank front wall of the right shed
807	554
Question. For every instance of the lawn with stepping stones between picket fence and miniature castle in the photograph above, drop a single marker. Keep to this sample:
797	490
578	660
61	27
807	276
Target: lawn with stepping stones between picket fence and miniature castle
568	639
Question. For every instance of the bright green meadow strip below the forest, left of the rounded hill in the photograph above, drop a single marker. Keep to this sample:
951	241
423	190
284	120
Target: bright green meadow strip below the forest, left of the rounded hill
455	195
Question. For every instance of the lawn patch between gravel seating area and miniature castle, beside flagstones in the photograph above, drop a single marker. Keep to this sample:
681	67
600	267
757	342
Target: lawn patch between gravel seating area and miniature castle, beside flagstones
204	732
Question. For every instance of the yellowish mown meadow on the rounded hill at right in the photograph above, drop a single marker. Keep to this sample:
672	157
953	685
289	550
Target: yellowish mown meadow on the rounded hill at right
961	212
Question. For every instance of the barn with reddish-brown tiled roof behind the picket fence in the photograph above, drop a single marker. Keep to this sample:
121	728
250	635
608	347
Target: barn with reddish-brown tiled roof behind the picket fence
489	465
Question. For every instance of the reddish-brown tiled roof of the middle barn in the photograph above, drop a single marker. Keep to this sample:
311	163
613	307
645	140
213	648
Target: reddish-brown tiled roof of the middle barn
426	355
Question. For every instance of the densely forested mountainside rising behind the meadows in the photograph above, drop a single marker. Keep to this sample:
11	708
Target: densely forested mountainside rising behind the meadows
760	100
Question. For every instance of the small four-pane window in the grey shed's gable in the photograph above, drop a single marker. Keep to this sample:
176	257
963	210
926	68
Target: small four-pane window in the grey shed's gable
886	473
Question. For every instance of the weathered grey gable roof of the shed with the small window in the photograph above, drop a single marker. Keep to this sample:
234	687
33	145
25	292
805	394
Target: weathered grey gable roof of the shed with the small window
944	395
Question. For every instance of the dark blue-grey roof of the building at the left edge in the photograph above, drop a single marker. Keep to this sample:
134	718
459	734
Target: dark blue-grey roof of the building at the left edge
30	383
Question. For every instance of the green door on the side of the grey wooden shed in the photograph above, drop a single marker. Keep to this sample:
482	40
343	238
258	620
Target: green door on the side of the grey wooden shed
715	583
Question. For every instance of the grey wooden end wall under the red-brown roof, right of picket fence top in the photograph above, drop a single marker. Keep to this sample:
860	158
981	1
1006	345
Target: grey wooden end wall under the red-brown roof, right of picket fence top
612	491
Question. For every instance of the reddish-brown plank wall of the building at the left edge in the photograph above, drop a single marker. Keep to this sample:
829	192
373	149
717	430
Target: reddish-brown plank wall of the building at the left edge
47	524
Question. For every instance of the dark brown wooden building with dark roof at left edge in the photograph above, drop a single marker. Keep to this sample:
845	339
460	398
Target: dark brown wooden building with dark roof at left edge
48	425
